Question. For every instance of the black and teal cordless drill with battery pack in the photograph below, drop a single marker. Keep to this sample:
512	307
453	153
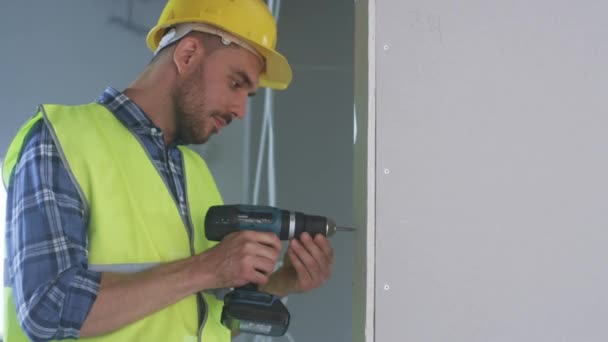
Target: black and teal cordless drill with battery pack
245	308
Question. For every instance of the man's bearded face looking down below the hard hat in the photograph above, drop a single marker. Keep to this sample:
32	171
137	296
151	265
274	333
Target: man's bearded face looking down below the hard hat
214	93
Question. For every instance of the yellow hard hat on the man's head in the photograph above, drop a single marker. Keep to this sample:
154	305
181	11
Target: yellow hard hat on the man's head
250	20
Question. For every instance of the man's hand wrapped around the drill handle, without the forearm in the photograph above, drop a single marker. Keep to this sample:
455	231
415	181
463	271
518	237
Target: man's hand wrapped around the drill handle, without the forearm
240	258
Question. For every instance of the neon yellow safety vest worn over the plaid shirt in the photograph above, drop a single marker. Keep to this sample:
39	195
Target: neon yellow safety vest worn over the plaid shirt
133	221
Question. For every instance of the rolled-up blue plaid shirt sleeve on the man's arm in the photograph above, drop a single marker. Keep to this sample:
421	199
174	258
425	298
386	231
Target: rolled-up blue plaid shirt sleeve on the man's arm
47	244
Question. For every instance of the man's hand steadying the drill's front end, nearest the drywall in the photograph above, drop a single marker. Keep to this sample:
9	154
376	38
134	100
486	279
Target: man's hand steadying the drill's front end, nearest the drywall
308	264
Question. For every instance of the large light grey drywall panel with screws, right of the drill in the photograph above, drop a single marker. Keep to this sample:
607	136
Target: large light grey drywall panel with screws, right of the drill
492	156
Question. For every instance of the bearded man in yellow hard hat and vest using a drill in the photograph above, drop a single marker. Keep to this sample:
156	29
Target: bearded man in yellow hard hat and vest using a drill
106	206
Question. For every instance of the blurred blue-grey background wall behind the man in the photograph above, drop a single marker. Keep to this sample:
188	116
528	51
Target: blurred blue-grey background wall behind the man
68	51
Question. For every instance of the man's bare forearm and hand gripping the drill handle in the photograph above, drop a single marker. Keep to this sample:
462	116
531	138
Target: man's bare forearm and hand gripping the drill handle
240	258
